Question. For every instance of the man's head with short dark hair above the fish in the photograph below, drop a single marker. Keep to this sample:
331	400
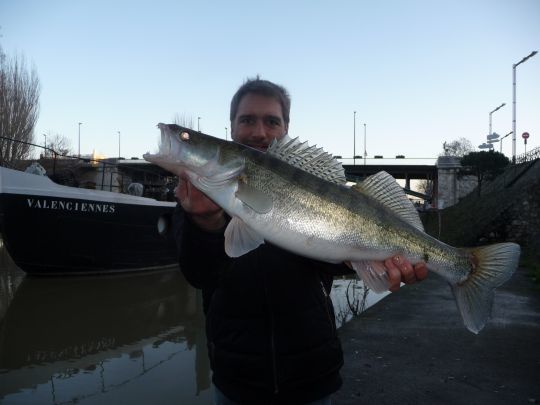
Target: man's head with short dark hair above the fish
259	113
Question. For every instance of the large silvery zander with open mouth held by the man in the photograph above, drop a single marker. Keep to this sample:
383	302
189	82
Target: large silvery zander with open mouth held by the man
295	197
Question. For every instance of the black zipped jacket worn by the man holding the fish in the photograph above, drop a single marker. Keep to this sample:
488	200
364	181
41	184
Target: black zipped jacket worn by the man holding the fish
270	321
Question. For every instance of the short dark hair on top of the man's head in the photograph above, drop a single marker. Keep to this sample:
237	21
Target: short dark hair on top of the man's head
263	88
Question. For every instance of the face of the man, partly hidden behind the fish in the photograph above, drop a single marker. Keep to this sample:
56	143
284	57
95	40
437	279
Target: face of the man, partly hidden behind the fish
259	120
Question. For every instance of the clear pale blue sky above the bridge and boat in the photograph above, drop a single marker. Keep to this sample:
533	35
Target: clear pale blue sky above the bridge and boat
418	73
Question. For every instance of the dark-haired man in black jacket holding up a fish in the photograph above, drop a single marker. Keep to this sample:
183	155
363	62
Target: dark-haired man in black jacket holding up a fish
270	322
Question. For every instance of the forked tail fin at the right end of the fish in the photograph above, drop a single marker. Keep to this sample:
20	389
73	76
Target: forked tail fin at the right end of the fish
492	266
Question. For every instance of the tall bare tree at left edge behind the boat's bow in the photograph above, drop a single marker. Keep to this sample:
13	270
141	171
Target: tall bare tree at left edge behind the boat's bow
19	108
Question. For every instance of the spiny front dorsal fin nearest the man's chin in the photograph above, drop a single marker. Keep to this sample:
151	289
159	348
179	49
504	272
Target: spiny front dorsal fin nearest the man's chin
308	158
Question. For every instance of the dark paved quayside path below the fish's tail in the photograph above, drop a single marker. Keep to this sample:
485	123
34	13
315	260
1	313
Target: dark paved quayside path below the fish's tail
428	357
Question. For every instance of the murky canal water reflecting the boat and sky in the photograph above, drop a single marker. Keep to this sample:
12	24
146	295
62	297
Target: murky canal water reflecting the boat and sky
136	338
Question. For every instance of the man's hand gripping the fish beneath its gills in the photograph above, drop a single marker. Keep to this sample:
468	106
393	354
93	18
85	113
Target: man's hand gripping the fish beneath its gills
202	210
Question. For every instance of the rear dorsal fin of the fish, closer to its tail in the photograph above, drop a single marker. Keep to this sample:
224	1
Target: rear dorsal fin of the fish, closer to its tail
383	188
